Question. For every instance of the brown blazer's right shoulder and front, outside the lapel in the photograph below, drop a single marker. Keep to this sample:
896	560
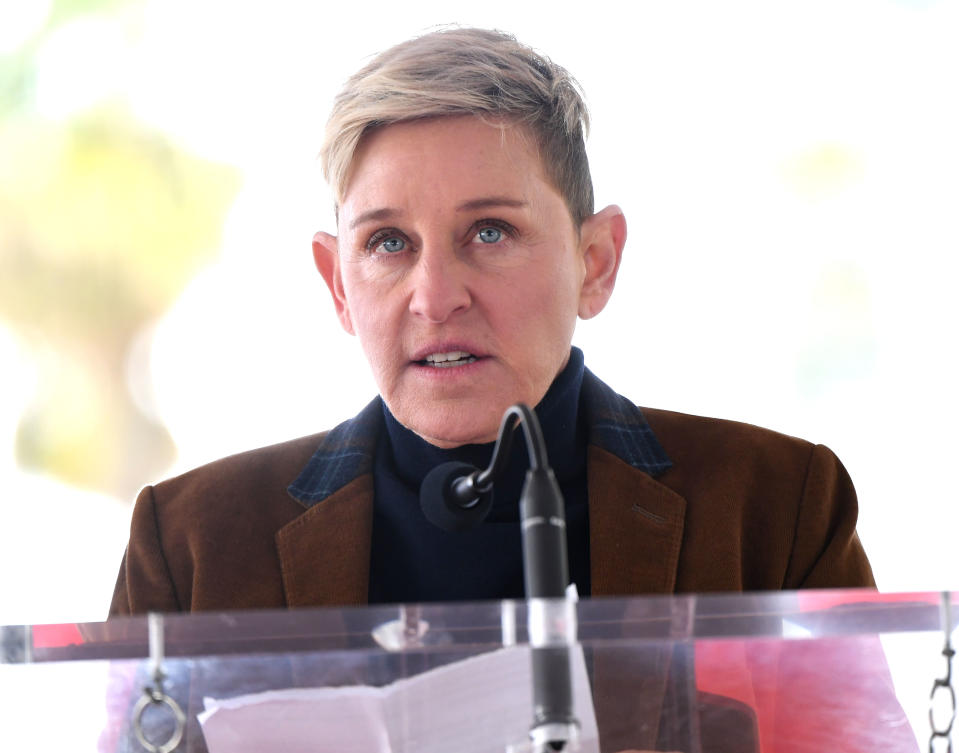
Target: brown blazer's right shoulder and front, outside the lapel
779	511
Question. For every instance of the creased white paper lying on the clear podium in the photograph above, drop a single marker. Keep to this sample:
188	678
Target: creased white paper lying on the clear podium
479	705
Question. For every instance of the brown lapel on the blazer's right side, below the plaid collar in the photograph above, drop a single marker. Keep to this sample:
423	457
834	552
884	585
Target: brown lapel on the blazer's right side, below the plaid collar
635	528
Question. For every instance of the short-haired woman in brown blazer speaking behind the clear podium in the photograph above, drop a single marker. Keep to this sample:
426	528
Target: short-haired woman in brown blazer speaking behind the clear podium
467	245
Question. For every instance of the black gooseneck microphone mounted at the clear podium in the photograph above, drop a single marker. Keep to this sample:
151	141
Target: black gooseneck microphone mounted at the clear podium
458	496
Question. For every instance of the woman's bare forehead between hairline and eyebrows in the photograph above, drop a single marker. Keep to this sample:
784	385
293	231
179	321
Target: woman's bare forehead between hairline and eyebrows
462	157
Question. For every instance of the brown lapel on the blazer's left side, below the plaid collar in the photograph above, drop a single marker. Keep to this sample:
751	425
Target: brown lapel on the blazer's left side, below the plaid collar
325	552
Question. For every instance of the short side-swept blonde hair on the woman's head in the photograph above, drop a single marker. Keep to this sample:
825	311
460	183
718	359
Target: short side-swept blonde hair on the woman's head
464	71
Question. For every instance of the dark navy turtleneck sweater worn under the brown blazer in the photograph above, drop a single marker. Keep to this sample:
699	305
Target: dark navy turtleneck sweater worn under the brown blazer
414	561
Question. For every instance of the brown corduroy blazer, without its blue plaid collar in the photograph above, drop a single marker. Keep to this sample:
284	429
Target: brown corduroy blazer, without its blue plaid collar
741	509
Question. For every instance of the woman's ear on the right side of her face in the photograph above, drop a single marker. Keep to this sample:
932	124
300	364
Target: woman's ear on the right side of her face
602	238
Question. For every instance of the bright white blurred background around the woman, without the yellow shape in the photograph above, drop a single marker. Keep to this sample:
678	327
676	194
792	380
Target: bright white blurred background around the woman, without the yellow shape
789	171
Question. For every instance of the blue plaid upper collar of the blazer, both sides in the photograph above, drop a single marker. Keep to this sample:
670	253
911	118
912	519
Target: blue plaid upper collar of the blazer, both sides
346	452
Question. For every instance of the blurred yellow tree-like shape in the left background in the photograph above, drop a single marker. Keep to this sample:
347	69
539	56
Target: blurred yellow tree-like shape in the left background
103	222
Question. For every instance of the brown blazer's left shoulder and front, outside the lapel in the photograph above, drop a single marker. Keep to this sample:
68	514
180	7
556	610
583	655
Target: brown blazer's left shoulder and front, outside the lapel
205	539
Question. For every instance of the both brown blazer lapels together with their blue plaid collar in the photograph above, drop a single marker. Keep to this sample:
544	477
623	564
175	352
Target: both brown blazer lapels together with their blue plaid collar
636	523
